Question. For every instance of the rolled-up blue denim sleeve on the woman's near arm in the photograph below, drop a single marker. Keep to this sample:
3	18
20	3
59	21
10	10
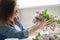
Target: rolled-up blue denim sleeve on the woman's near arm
13	33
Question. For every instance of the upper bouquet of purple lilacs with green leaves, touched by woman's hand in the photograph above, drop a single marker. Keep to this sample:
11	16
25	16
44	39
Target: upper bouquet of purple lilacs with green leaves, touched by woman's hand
54	19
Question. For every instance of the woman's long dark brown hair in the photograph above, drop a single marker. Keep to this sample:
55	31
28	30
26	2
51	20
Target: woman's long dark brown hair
6	10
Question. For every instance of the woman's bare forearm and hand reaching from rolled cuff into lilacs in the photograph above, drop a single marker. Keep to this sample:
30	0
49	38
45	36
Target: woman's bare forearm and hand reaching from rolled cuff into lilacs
38	26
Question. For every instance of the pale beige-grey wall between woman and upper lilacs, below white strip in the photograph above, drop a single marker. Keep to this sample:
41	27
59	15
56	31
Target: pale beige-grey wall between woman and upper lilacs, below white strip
26	15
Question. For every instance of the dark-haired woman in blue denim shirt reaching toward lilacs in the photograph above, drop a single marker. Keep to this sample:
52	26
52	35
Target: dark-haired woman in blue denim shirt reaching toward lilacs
9	19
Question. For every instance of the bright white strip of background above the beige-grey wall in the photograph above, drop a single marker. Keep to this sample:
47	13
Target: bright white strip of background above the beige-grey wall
33	3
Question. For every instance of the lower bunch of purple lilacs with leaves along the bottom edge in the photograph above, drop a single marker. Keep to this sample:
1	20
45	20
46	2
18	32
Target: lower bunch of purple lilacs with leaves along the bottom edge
46	37
